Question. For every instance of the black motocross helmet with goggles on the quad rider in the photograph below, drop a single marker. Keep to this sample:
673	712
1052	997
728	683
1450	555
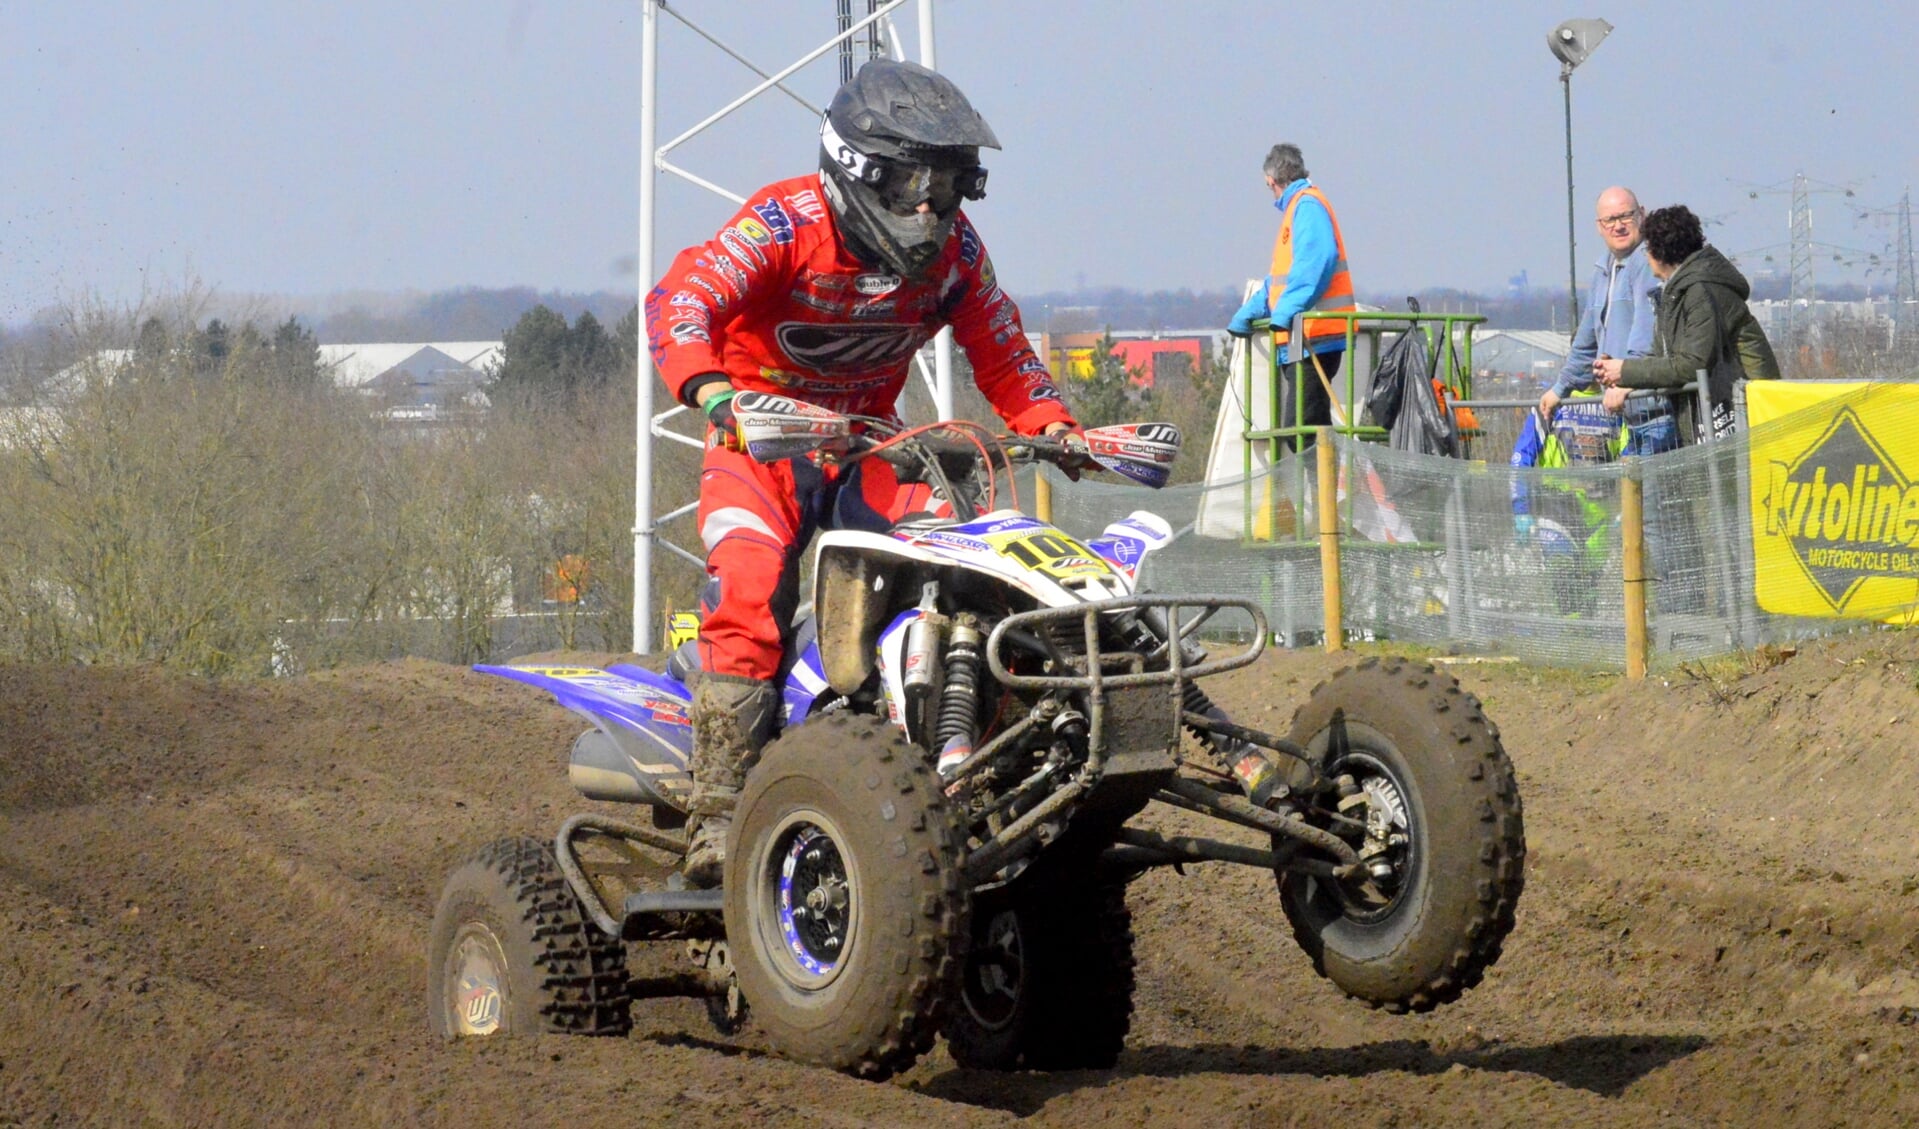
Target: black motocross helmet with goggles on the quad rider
893	139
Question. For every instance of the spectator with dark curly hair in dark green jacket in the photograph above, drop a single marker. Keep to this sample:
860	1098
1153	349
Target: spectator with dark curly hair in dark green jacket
1703	324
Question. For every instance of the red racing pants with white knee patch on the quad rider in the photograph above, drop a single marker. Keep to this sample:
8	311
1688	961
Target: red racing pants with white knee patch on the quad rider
757	521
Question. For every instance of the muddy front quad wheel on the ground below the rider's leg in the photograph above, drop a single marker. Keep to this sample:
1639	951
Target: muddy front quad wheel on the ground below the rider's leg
845	905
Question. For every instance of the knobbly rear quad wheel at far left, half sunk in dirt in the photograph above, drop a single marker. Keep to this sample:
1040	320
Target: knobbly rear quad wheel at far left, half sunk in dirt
513	953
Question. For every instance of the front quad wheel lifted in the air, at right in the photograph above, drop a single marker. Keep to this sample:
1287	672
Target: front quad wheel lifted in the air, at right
1444	838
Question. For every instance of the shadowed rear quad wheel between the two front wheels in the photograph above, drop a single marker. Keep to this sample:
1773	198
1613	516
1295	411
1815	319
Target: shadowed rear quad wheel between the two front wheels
1049	980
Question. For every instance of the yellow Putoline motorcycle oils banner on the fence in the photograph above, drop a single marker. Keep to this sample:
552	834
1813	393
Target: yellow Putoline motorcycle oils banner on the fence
1836	498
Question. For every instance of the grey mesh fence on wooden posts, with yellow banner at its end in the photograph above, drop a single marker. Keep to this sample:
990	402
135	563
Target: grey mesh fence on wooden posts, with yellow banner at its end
1431	552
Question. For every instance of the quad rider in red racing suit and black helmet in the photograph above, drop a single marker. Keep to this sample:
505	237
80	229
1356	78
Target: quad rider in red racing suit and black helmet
824	289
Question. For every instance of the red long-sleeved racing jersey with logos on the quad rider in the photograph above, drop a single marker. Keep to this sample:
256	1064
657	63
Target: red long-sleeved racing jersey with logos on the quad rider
780	304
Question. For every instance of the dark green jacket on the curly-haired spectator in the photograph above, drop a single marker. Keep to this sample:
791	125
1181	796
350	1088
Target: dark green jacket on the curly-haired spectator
1701	306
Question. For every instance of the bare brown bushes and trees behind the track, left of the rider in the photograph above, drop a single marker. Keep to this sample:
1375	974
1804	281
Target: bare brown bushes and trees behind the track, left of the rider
197	510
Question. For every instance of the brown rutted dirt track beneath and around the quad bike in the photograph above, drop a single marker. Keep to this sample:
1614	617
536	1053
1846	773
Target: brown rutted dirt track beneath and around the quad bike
214	909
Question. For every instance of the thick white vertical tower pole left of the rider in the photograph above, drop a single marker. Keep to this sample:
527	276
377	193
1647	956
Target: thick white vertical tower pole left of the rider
650	110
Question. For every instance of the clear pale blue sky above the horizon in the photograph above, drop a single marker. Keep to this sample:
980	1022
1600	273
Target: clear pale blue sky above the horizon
312	149
